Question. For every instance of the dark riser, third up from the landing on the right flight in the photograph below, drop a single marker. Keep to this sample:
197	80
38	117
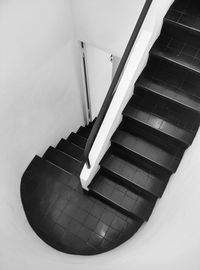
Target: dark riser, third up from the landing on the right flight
158	170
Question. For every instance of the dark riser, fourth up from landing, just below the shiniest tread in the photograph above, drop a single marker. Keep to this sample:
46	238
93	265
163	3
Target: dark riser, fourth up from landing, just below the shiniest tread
155	136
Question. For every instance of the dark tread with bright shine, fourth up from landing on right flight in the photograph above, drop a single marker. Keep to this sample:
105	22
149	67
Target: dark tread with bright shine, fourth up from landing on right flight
159	124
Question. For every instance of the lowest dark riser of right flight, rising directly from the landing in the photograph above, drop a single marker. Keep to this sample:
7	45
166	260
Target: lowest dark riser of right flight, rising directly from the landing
117	207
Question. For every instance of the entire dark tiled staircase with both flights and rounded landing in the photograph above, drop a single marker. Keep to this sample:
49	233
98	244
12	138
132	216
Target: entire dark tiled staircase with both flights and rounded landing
159	123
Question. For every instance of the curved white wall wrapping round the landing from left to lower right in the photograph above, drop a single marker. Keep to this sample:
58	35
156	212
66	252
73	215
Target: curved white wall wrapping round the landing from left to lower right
171	238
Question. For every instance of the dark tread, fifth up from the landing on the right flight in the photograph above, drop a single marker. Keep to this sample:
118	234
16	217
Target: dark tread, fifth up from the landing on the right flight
172	94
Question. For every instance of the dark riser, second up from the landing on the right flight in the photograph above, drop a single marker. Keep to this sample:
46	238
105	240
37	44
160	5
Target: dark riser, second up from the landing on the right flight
135	188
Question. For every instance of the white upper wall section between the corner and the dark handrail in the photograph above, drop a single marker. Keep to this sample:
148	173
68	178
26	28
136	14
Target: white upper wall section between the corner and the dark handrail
106	24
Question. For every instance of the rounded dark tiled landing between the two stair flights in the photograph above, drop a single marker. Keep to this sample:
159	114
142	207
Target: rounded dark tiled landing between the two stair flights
66	217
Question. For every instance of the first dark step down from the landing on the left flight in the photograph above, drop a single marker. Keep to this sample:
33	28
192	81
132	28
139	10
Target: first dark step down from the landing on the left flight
62	160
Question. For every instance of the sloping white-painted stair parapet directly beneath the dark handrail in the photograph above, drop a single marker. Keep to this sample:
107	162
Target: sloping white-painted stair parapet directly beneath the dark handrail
135	64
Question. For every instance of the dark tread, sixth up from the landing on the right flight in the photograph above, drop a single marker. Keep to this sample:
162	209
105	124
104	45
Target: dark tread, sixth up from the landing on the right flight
174	54
